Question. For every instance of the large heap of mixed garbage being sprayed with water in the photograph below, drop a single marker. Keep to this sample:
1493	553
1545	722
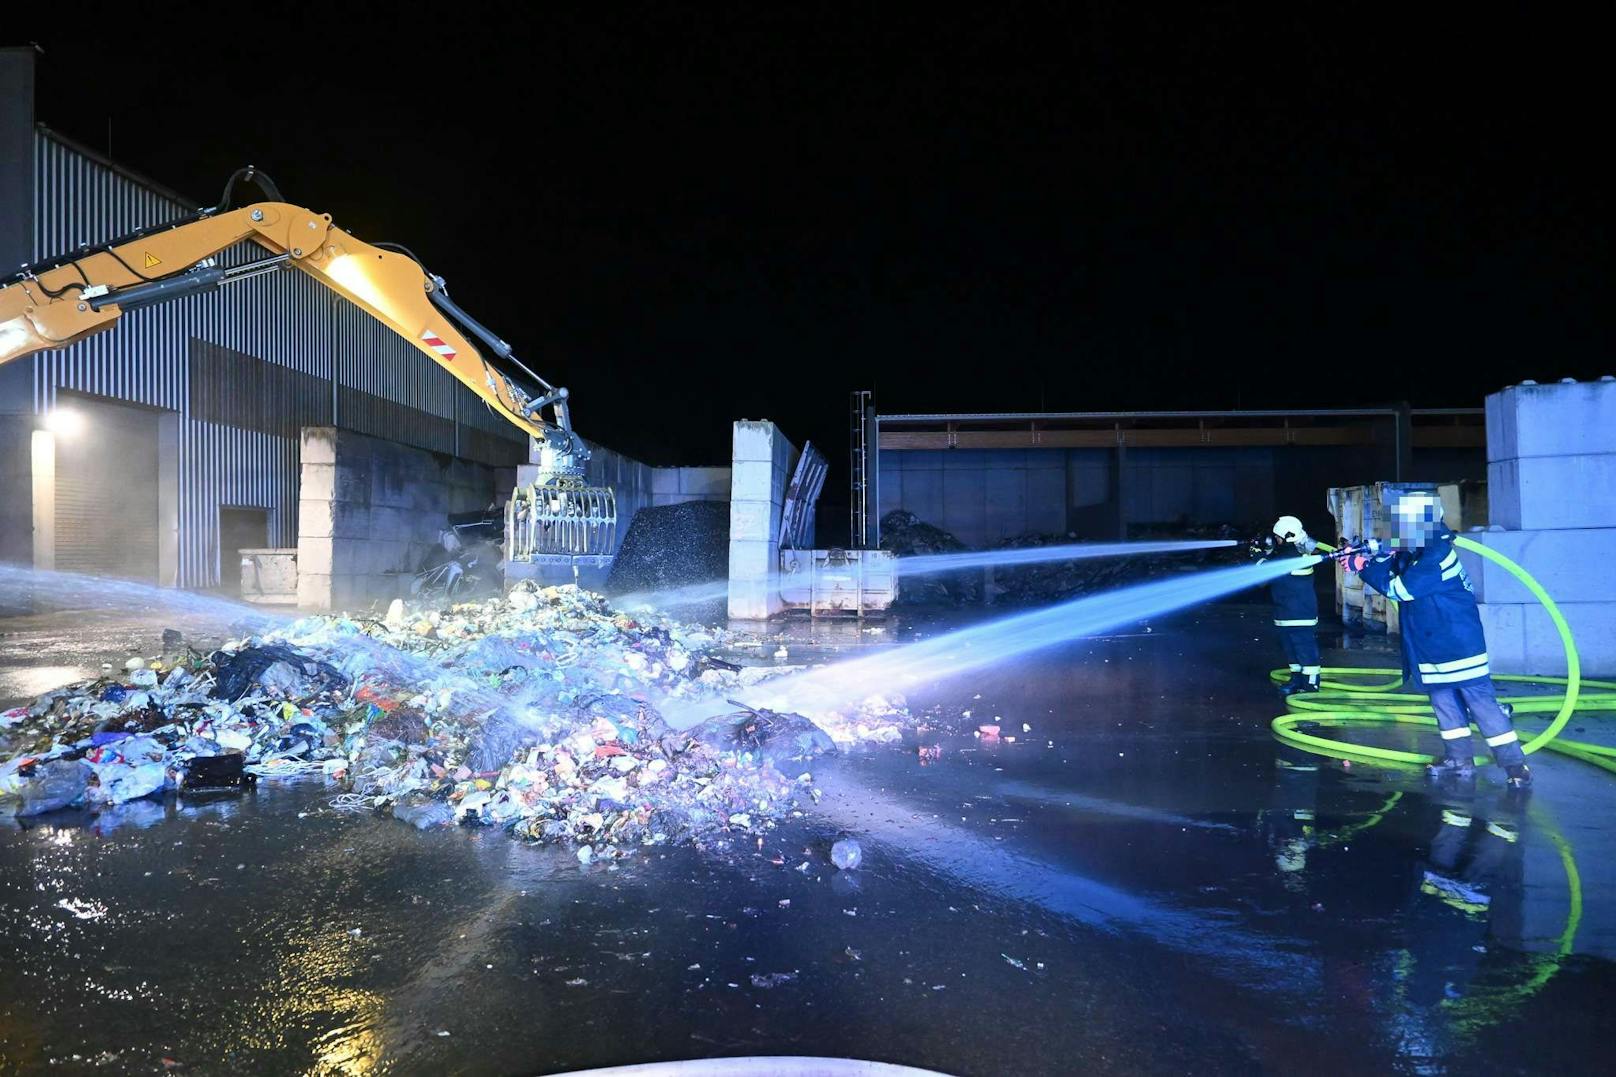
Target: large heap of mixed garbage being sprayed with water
536	712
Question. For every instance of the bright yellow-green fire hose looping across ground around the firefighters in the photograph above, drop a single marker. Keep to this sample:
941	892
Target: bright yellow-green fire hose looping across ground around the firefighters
1349	704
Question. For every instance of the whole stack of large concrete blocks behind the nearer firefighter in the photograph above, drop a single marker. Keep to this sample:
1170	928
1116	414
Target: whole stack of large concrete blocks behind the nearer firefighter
1552	492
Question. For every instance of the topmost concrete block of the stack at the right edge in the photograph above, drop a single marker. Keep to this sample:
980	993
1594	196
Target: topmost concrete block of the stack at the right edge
1559	420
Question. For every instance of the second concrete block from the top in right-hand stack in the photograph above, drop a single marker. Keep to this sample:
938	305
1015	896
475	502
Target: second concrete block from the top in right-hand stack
1554	492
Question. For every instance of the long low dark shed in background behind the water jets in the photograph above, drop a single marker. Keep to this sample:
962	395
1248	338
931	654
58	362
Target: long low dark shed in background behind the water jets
988	478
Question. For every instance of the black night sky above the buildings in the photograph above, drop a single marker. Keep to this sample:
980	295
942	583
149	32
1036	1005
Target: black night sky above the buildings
691	216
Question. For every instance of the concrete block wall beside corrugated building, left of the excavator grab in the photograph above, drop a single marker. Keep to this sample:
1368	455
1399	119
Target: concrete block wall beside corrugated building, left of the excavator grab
369	510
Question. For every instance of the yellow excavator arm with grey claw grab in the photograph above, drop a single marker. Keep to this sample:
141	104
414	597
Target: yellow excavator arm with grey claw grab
61	302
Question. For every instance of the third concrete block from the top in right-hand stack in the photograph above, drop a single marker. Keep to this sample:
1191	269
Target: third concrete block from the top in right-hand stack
1572	565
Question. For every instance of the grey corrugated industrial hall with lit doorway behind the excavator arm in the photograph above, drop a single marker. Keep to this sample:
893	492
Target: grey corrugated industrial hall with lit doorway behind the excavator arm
158	450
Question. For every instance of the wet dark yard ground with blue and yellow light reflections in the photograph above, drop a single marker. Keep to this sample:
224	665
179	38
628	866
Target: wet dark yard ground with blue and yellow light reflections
1140	882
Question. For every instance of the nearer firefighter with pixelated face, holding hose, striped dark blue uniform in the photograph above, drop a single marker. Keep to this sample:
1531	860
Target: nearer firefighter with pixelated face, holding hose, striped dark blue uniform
1444	646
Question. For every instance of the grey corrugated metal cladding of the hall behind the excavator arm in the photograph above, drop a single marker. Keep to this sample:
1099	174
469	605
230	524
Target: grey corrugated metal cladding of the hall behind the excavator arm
235	444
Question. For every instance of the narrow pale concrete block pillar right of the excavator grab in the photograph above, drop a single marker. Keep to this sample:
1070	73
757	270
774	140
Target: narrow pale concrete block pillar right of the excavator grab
762	468
